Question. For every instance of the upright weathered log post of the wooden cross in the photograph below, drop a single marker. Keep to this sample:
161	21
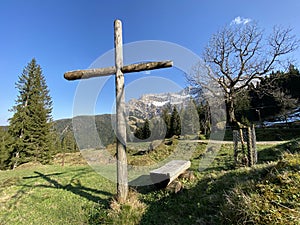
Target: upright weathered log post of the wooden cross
122	176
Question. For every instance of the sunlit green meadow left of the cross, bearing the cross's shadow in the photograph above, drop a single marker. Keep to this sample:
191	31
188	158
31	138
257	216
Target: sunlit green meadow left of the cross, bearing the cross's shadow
52	195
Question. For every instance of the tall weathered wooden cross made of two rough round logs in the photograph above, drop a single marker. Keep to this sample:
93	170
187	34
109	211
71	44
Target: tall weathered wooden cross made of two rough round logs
118	70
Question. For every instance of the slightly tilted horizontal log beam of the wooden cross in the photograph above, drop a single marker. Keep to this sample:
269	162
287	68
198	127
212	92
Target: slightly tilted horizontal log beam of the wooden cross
89	73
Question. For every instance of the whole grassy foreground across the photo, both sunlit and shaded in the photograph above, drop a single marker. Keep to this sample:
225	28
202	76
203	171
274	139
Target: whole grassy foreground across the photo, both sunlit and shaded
268	193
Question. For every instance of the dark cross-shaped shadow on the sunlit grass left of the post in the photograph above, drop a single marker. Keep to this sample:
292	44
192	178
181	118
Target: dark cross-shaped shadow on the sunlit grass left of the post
73	186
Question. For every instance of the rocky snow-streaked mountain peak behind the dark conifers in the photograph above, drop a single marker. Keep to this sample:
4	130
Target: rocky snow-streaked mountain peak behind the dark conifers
151	105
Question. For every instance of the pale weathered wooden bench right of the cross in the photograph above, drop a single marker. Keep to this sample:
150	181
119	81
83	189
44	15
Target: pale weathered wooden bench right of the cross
164	175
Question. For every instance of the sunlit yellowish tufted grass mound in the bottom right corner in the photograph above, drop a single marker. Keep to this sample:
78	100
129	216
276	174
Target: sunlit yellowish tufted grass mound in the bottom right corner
270	196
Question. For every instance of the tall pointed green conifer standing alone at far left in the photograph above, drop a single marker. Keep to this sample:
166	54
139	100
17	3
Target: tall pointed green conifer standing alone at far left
31	123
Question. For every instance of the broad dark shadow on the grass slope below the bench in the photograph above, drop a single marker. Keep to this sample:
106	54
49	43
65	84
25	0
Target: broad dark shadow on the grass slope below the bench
200	204
